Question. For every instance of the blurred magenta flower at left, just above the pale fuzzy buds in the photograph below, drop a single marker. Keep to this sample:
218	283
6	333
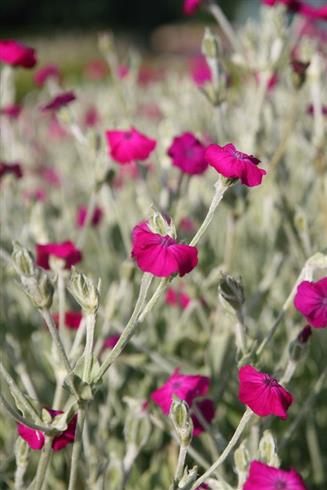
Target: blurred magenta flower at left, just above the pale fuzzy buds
64	250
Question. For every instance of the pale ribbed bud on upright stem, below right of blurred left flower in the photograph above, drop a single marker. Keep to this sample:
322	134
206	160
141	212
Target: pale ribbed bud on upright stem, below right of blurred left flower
84	291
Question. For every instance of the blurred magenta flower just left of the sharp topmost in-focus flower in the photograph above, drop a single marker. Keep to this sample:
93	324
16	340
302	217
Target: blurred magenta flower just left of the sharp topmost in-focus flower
187	153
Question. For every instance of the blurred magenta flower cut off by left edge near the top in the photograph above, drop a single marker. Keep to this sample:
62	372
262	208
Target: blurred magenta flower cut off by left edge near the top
17	54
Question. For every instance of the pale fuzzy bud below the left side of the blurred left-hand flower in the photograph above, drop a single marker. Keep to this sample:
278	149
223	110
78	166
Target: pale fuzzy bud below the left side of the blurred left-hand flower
39	289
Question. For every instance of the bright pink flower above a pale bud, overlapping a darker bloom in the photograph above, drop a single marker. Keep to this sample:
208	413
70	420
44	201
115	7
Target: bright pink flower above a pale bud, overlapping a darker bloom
186	387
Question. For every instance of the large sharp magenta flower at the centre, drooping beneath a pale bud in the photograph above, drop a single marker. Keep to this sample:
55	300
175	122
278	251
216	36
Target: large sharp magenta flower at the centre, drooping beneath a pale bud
161	255
